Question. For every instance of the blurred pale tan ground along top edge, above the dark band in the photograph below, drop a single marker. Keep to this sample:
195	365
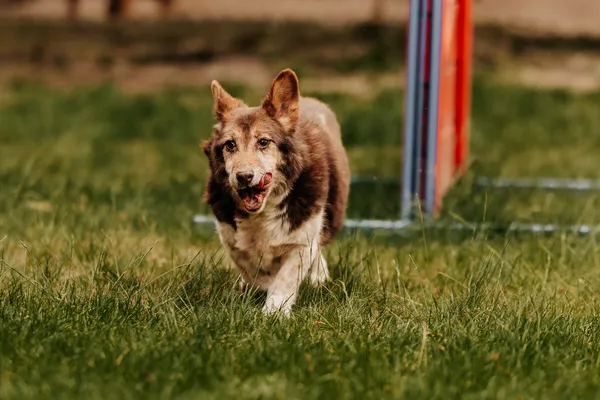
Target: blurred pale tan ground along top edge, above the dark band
561	17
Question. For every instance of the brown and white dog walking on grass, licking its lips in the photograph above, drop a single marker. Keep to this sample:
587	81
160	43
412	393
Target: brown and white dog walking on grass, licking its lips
278	186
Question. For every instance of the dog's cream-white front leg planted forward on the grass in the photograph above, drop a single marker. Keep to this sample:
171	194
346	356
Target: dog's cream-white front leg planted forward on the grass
283	290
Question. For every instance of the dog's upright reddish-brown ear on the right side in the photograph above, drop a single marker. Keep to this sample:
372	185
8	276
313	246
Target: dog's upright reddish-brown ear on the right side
283	99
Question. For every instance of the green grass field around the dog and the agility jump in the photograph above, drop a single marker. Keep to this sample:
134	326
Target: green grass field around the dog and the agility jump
107	290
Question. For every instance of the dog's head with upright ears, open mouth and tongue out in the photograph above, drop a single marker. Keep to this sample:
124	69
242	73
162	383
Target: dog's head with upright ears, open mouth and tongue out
251	150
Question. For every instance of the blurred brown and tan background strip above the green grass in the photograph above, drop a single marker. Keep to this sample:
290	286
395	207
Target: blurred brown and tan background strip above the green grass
142	44
